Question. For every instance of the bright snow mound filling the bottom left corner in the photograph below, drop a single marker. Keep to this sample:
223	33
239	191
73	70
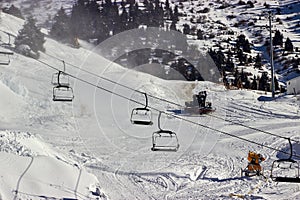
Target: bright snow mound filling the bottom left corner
30	169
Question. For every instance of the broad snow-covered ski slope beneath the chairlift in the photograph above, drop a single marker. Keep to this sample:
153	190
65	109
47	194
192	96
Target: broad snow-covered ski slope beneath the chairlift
48	145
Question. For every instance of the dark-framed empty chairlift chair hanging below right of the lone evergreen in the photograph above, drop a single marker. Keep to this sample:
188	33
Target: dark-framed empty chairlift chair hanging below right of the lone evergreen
62	92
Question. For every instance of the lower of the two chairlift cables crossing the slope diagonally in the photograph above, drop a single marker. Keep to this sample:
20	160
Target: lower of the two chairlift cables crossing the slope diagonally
168	114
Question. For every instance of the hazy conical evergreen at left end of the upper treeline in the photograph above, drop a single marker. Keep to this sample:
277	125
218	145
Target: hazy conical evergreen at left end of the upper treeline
61	28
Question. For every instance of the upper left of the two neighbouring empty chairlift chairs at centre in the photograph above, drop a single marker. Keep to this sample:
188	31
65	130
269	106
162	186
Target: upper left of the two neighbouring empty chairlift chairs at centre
142	116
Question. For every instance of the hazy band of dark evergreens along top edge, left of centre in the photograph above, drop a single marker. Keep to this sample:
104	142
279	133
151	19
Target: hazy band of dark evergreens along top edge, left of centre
89	20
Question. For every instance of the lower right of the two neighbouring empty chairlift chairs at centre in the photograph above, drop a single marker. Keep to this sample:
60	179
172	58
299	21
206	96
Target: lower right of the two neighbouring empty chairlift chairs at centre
164	140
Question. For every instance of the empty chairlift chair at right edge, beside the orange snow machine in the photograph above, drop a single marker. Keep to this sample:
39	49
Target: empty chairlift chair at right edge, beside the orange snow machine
281	169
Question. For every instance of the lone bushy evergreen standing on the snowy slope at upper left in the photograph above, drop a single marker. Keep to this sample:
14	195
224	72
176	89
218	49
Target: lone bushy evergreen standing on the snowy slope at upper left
31	36
